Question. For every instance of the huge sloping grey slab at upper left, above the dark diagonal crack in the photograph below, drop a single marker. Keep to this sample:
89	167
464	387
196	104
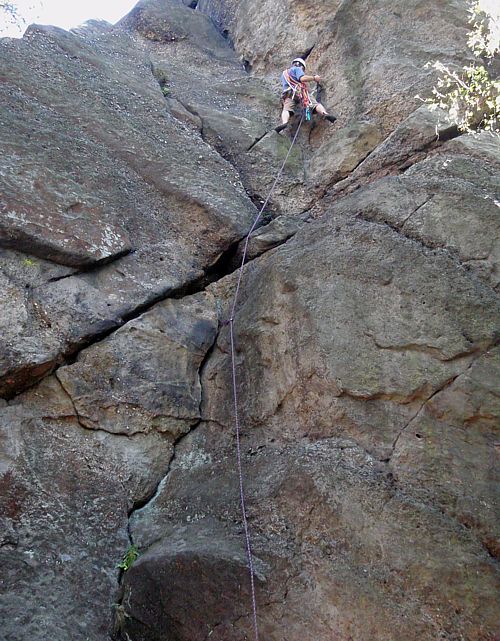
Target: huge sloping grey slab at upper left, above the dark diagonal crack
94	166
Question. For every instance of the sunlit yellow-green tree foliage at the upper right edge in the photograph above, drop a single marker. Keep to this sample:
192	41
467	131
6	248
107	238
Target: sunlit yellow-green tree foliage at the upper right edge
471	94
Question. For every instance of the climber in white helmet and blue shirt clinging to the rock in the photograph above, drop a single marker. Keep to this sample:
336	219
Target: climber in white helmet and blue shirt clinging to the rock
295	93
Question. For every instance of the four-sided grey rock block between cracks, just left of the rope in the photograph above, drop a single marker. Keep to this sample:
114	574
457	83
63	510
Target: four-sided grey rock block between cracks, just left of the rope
146	375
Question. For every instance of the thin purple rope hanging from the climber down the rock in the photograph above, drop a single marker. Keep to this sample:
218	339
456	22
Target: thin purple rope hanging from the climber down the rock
235	393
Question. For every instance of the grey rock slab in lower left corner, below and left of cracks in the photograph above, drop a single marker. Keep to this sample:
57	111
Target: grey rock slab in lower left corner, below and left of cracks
66	492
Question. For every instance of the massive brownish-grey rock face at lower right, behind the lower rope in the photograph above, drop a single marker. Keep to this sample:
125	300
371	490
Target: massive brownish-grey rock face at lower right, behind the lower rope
353	398
